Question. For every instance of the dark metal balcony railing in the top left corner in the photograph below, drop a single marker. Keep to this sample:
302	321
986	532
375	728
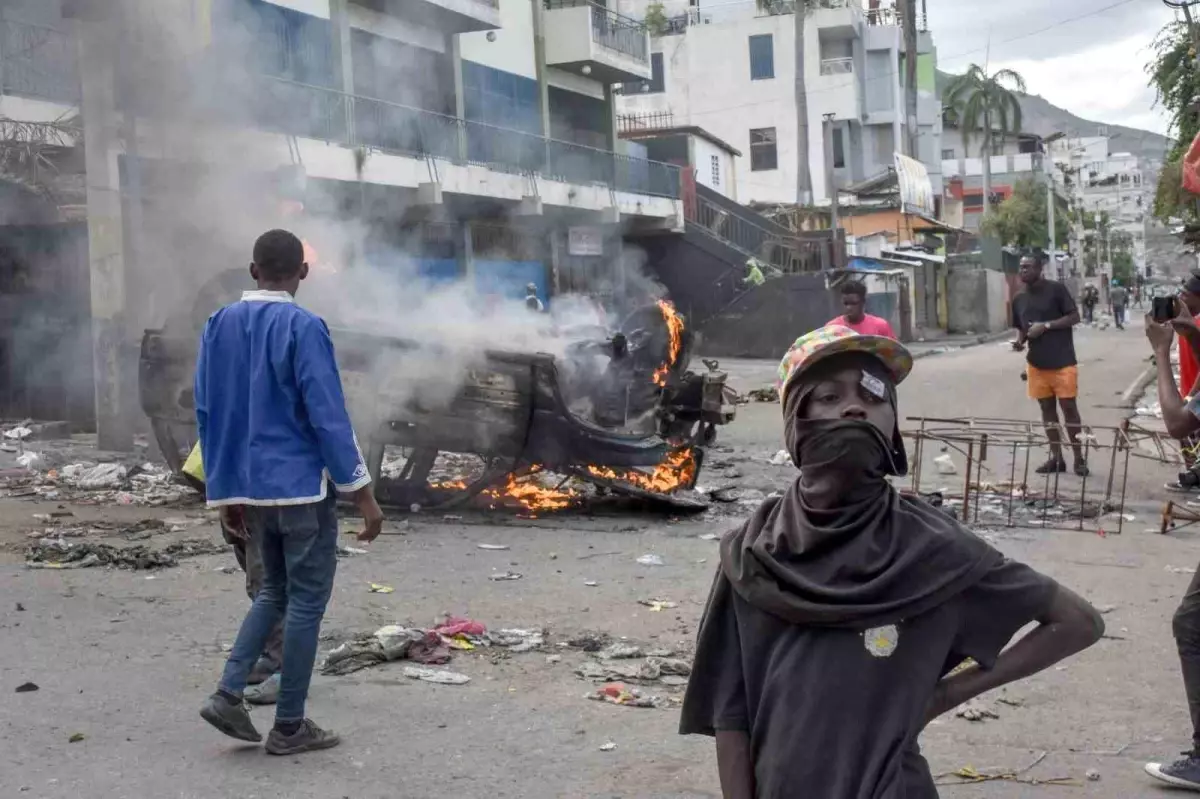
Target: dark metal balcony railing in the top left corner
38	62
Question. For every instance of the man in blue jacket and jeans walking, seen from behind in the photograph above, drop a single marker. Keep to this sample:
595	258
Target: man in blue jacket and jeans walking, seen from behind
278	446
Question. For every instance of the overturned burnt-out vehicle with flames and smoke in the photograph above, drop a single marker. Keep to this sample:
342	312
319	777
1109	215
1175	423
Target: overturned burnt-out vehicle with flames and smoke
525	430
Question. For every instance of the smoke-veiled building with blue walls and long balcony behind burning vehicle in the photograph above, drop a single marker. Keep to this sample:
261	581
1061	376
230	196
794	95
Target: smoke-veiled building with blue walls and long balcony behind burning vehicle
475	139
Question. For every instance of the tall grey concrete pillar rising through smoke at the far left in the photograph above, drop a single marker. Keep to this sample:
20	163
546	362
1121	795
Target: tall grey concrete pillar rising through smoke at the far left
112	340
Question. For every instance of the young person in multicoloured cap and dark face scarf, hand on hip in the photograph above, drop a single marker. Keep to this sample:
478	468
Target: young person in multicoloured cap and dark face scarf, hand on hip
841	608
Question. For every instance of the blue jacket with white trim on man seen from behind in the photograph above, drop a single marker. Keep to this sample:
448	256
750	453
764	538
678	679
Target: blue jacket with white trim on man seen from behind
273	420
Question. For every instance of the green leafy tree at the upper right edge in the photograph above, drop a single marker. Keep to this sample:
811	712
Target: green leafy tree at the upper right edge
1177	83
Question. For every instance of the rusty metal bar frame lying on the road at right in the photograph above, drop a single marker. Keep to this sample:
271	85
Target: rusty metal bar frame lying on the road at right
976	437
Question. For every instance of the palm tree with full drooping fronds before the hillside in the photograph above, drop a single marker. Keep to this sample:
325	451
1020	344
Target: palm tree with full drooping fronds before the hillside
988	105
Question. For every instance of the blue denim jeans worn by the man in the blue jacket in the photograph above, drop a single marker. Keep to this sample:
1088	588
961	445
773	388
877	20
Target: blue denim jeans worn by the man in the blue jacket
299	548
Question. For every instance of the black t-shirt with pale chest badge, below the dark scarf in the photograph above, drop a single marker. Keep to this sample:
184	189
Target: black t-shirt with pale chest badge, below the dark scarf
836	713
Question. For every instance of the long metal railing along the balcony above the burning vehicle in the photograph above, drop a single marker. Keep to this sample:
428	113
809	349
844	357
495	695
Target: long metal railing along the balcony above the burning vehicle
326	115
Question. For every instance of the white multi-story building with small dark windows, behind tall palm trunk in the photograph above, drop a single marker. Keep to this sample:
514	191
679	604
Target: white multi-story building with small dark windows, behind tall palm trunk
730	69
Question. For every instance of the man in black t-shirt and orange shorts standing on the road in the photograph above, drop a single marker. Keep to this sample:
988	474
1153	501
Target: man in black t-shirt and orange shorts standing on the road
1045	315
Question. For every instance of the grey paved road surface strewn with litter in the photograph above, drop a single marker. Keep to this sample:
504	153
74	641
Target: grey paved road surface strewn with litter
125	660
